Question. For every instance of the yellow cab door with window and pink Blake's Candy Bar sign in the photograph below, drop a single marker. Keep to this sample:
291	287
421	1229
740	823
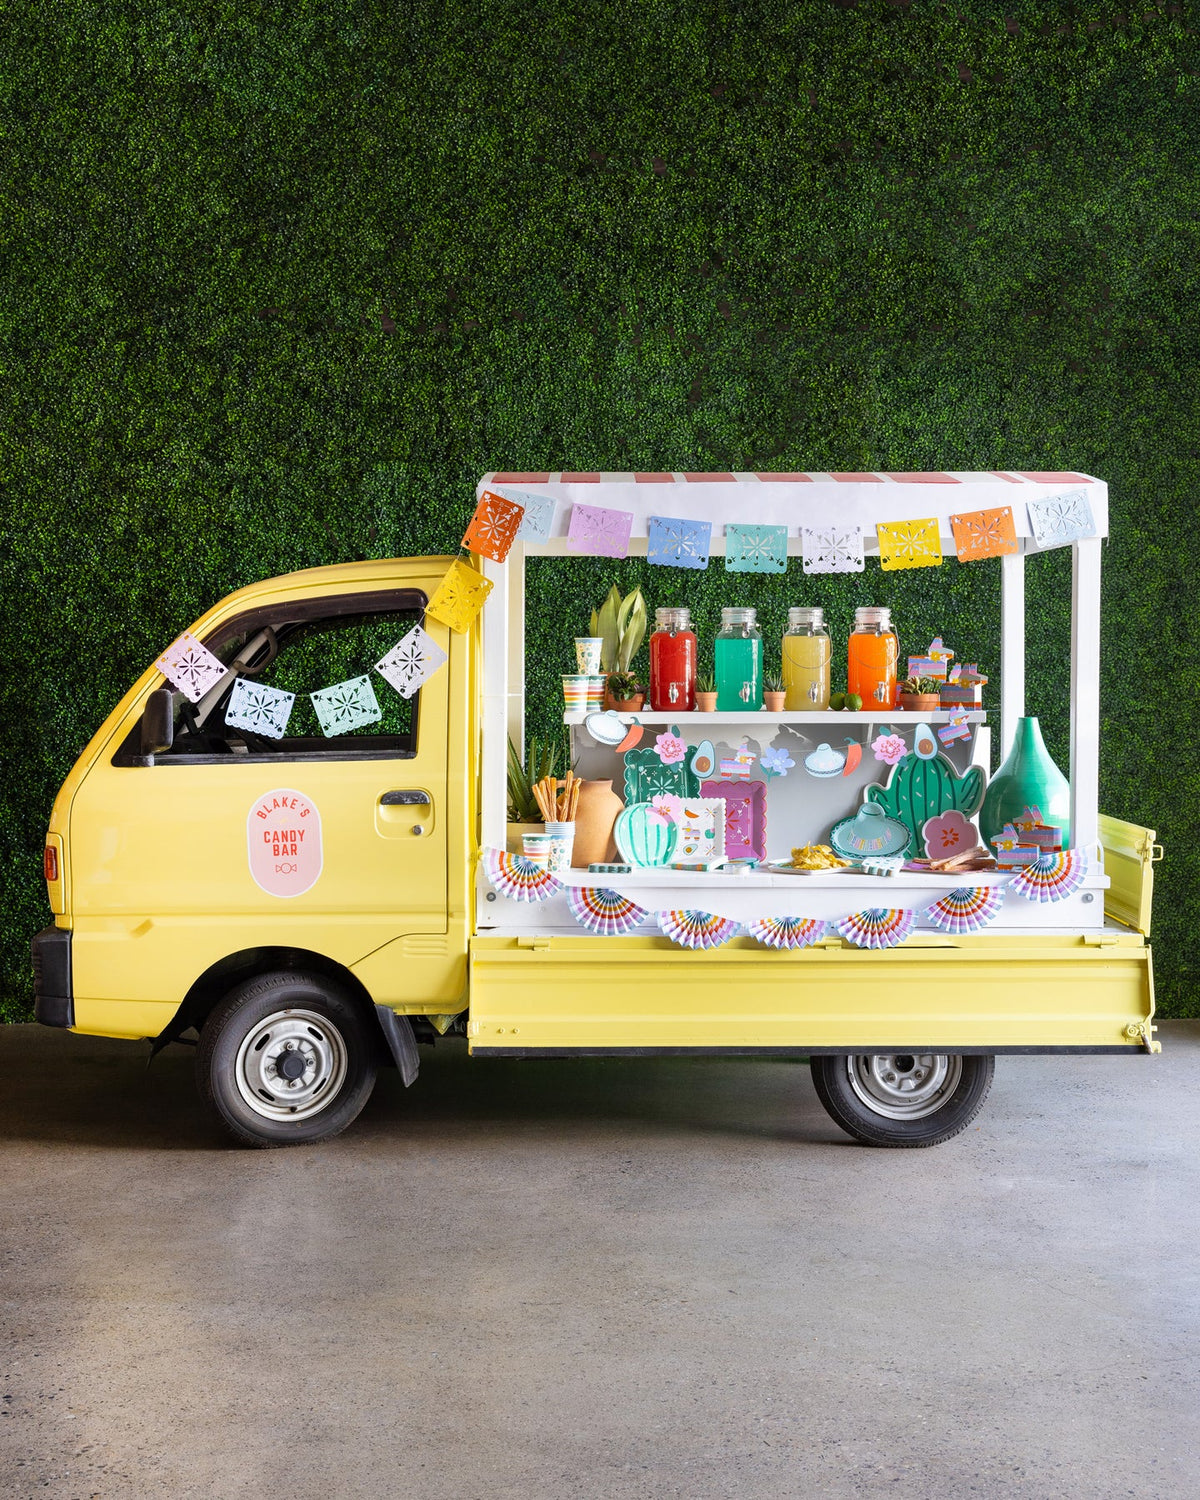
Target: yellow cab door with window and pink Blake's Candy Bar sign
238	841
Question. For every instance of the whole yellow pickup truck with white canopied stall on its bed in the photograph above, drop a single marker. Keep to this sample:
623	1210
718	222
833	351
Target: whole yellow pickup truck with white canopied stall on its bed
316	907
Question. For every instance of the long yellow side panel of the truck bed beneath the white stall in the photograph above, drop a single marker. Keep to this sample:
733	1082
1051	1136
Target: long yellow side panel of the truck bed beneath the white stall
980	992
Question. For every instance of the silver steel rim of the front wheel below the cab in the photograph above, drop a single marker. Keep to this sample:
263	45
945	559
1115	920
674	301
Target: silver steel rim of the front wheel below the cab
292	1066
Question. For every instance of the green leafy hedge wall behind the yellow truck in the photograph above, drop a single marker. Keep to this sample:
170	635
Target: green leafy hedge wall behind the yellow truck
283	281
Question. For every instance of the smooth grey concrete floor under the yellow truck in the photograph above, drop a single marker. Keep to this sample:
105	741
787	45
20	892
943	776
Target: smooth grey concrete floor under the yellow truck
599	1280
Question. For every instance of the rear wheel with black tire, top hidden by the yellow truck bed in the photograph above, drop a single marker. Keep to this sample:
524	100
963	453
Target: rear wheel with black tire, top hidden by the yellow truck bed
902	1099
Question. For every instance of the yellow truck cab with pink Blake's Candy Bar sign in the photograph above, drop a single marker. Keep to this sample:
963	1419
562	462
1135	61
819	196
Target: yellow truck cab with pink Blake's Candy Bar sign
188	860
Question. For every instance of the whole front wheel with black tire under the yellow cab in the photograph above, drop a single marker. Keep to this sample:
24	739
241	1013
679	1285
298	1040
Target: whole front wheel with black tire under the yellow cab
265	1031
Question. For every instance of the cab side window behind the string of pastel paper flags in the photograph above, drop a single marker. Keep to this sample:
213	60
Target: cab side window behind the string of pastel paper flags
302	649
